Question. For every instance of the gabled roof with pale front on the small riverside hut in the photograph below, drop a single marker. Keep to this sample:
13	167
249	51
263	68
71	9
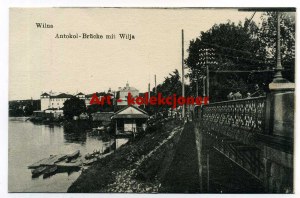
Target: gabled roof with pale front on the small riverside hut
130	112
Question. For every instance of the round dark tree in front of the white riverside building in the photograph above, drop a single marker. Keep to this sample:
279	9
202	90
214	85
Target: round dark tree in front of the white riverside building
73	107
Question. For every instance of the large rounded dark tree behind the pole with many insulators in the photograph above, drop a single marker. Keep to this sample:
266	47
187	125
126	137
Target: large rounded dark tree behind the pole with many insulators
226	47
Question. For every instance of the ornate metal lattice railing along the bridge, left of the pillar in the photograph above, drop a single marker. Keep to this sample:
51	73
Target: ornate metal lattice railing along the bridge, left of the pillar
238	119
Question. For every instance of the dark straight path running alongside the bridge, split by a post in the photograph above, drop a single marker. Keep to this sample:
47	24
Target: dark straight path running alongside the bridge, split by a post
225	176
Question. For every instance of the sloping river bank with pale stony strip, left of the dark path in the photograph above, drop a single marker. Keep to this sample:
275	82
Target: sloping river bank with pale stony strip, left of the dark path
139	166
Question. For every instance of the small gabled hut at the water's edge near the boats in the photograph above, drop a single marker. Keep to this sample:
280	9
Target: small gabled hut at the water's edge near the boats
130	120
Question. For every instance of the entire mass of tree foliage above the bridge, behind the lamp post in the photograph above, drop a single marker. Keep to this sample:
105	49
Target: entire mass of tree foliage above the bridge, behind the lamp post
229	47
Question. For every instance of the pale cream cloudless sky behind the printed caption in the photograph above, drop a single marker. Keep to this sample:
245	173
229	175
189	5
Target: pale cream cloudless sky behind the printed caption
39	62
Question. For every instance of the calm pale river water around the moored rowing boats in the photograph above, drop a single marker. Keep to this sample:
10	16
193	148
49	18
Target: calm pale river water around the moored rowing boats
30	142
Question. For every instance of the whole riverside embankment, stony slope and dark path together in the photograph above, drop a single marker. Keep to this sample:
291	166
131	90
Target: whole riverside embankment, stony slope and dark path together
164	160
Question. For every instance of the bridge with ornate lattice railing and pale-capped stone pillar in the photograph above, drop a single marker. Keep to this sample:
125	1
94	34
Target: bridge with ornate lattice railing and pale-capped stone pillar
256	134
